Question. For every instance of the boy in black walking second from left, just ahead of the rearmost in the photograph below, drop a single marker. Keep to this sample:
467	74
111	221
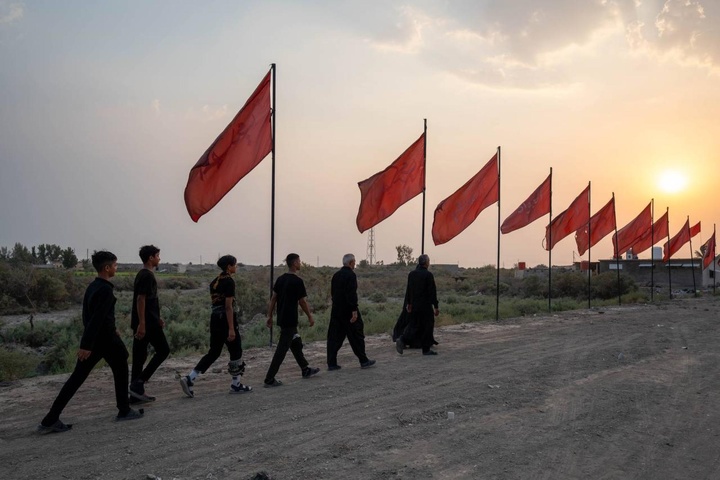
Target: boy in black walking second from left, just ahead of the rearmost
147	325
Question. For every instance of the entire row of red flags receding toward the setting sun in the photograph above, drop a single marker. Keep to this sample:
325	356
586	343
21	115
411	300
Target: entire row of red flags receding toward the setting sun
244	143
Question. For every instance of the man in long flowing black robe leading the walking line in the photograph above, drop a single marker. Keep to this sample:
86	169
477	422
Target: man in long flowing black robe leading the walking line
422	306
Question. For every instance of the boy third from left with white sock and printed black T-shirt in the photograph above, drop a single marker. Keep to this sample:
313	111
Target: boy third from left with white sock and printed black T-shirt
224	330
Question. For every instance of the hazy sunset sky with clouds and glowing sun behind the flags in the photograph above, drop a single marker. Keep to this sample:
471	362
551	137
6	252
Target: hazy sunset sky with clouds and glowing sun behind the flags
106	106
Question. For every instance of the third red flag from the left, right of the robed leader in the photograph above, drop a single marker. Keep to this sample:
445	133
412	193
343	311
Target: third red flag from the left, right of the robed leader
459	210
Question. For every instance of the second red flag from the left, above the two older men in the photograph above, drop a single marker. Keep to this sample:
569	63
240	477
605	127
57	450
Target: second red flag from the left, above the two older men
386	191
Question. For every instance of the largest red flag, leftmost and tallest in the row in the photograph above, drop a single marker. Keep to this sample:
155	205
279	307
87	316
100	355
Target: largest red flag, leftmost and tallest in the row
235	152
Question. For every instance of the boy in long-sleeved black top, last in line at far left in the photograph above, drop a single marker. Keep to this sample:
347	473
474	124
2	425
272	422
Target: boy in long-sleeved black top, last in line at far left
100	340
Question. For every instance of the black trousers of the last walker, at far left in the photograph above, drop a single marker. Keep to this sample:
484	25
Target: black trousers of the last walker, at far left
113	351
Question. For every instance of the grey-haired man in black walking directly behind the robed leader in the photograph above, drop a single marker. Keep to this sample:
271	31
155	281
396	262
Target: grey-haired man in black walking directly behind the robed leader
345	318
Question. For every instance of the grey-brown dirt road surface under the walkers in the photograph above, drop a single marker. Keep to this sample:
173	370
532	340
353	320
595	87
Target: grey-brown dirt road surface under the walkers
618	393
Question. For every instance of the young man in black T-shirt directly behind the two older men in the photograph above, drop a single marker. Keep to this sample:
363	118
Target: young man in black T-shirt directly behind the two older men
288	292
